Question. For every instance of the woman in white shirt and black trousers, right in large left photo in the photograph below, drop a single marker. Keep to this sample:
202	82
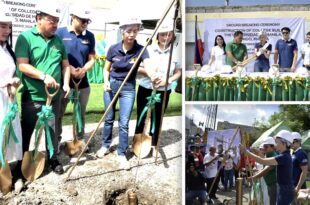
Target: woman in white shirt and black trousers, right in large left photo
159	59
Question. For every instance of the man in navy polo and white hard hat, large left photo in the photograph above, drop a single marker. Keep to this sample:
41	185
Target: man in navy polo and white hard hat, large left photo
80	46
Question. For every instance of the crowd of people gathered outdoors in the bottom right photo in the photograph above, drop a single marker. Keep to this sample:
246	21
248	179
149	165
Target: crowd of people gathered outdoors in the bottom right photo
279	162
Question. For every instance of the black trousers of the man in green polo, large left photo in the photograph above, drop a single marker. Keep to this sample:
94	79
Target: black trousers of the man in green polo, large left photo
29	118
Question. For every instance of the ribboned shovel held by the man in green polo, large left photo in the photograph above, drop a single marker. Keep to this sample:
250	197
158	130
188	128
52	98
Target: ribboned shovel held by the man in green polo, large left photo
34	159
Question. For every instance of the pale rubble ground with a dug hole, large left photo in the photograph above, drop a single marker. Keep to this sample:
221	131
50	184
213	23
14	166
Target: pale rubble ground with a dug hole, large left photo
100	181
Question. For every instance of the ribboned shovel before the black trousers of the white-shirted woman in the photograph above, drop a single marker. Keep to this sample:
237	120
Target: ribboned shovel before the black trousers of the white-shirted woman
142	141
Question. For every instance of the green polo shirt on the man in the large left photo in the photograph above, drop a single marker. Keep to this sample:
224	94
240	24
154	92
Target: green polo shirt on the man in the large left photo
45	56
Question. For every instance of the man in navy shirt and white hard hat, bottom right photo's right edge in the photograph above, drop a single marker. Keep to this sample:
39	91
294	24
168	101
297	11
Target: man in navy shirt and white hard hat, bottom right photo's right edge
300	163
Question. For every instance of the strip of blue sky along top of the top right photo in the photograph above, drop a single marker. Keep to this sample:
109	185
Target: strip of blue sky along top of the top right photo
194	3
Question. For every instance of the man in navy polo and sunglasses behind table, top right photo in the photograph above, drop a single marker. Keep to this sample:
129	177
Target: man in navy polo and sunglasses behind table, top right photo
286	52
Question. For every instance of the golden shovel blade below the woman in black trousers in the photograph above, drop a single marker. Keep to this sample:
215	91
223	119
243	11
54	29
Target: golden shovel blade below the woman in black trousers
142	145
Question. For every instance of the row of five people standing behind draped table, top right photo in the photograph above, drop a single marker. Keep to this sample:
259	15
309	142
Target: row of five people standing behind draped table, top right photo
235	52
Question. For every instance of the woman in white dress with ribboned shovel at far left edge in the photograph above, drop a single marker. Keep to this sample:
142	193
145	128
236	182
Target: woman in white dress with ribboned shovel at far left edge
9	117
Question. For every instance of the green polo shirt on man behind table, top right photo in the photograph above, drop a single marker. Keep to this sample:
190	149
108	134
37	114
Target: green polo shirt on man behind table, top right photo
238	50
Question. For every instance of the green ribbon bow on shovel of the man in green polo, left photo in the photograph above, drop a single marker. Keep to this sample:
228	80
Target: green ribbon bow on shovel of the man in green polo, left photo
44	117
